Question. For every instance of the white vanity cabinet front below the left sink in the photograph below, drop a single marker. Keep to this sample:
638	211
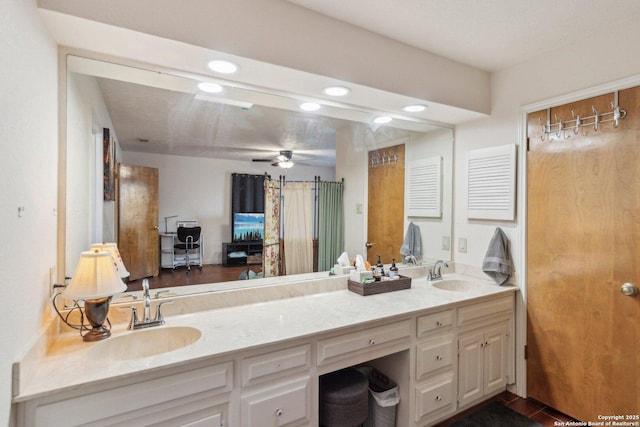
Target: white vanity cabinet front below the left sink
193	397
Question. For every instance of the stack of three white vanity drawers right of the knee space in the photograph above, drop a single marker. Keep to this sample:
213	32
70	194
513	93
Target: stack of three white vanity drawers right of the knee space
435	391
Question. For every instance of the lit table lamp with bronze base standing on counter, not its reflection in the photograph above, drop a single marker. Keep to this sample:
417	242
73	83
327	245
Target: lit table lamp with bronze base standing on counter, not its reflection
95	281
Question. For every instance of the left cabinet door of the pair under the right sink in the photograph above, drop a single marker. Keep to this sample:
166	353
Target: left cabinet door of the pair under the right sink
470	367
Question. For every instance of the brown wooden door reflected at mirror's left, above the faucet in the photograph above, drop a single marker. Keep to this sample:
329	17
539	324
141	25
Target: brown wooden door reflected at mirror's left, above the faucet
138	220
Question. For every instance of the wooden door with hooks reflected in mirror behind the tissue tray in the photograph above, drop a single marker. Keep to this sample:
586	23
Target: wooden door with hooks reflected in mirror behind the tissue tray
386	208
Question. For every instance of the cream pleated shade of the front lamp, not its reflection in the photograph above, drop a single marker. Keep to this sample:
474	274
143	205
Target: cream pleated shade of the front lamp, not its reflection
95	277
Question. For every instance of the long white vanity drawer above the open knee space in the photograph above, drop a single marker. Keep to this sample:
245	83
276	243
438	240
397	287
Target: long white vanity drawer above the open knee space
344	346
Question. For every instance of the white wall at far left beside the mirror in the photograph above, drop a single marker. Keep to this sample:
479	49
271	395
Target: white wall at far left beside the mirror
29	141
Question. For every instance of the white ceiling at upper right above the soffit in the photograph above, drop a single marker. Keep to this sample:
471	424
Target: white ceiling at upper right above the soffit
487	34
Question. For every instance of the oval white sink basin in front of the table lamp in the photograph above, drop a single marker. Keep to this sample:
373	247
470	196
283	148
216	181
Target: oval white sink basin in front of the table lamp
145	343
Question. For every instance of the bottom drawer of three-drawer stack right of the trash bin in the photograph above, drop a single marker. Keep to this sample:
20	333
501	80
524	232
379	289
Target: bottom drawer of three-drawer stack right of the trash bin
436	395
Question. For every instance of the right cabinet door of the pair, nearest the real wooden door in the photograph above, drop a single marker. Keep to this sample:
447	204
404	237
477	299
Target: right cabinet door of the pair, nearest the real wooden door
495	357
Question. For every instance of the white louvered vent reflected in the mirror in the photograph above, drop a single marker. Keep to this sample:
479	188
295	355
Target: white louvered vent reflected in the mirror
424	187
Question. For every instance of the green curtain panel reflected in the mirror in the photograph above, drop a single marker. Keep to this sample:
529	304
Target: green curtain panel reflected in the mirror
330	224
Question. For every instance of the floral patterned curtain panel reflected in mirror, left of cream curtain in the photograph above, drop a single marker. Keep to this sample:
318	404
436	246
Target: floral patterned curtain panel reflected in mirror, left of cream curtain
271	244
